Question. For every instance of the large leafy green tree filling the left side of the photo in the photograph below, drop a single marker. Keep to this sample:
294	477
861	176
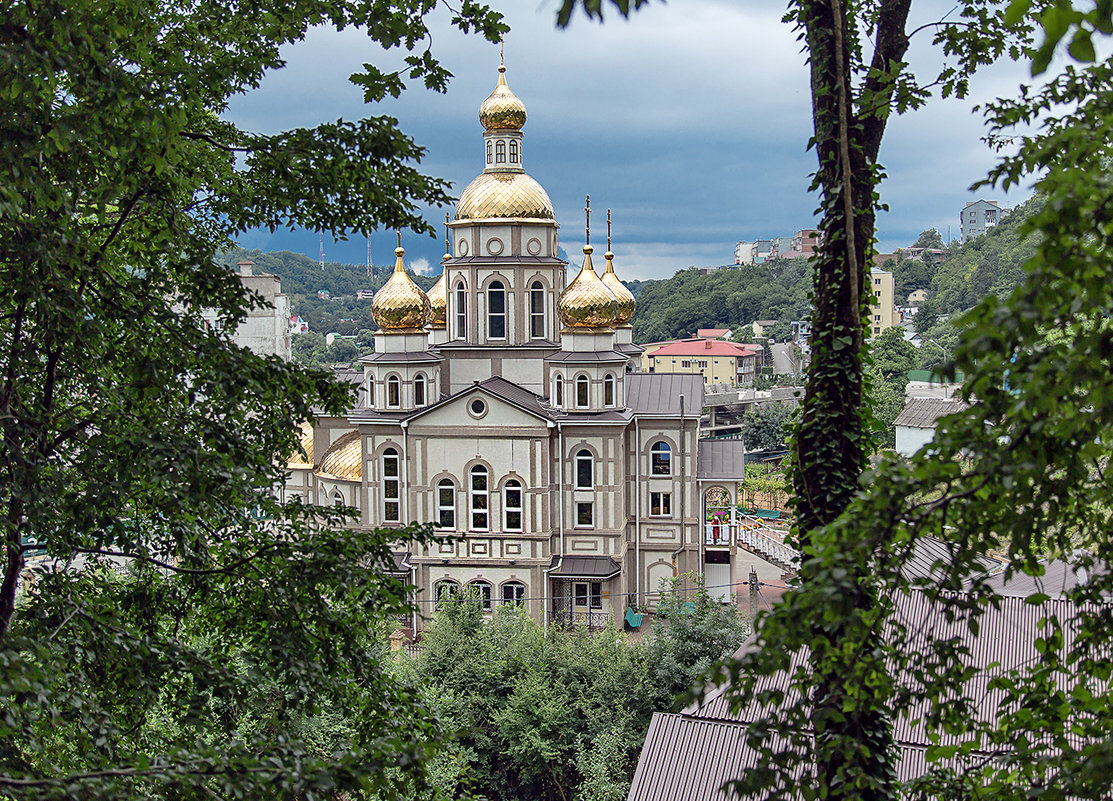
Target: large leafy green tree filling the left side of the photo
139	451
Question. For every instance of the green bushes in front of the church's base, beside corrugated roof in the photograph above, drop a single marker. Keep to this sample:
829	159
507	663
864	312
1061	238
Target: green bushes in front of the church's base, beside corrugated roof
563	715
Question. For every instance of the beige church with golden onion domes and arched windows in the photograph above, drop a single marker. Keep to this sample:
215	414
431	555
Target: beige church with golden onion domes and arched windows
506	407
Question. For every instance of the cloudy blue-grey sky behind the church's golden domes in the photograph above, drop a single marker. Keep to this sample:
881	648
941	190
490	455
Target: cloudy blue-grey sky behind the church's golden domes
690	121
